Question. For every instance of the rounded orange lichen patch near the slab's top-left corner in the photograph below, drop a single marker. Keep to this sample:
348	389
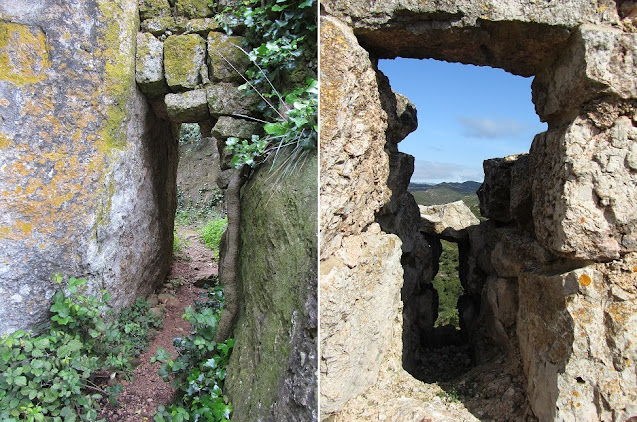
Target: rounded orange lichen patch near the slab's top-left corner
23	54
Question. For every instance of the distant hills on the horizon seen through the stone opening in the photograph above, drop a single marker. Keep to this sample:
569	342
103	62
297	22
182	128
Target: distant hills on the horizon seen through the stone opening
443	193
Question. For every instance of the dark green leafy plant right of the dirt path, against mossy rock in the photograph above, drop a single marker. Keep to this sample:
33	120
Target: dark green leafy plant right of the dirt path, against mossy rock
199	370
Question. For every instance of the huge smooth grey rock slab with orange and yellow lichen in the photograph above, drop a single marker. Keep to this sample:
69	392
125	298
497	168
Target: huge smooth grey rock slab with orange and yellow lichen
86	171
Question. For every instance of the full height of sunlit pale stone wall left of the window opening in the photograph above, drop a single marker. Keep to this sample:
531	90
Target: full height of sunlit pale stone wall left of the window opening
361	276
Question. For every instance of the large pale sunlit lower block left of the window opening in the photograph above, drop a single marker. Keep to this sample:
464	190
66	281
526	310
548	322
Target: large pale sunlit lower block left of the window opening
361	285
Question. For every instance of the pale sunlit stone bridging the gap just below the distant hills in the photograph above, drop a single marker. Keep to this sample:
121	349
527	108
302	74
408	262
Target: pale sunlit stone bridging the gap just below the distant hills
449	221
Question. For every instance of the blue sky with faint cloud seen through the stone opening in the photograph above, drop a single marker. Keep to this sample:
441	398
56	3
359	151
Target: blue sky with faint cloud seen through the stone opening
466	114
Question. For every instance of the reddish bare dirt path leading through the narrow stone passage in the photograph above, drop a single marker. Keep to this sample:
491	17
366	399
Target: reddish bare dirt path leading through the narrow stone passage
139	399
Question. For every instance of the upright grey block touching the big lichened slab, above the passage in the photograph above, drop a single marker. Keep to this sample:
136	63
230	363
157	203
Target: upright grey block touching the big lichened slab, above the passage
149	65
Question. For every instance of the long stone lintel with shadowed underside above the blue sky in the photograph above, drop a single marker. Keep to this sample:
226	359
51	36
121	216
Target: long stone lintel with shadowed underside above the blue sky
517	36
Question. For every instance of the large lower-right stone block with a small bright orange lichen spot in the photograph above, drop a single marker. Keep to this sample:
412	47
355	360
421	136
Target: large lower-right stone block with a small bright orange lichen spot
577	336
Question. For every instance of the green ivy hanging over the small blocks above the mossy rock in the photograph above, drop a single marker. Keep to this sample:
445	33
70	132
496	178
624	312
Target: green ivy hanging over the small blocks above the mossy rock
284	61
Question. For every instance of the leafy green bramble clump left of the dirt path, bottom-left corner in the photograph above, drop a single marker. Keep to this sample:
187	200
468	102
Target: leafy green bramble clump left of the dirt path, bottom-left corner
57	375
